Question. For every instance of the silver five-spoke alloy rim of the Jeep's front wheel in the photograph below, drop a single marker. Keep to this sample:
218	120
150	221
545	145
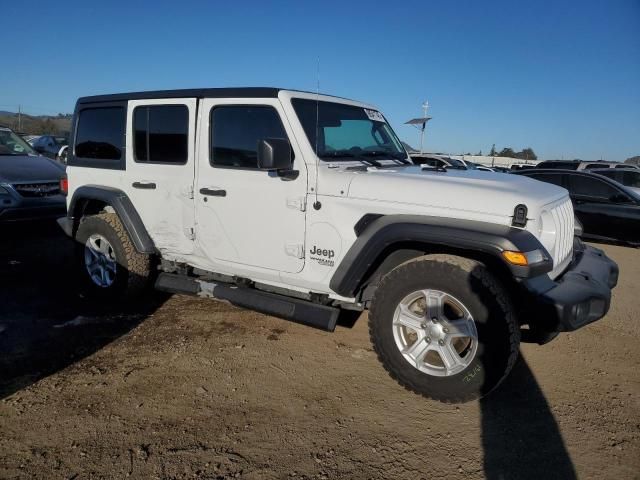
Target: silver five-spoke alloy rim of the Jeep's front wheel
435	332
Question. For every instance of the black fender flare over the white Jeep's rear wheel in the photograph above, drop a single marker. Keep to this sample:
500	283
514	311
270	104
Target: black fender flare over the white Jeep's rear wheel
121	204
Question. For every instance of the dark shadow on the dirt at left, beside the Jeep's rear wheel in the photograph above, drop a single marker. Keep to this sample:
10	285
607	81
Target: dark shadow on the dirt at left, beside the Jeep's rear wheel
45	325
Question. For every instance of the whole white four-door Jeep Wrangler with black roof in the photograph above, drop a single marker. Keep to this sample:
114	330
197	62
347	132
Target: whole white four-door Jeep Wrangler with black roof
307	207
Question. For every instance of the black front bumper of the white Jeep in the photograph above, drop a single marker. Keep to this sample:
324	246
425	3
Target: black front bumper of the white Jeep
581	295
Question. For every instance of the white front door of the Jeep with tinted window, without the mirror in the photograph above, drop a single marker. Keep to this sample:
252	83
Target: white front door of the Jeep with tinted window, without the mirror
245	215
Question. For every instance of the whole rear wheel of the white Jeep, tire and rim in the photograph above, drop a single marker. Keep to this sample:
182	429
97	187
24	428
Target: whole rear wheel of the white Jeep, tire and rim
108	263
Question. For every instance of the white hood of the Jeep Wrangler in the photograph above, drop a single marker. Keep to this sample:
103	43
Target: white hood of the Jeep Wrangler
489	193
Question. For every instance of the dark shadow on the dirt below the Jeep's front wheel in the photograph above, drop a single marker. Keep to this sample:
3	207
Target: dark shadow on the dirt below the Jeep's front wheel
520	436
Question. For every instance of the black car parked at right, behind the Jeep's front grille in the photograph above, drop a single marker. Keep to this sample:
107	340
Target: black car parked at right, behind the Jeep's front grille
607	209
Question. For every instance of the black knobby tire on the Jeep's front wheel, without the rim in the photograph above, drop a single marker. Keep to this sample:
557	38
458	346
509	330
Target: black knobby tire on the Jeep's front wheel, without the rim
486	299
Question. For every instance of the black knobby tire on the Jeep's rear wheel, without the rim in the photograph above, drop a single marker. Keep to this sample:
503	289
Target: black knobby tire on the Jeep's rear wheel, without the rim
133	270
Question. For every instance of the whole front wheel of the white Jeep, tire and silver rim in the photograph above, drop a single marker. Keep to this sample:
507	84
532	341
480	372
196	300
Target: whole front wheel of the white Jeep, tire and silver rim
443	327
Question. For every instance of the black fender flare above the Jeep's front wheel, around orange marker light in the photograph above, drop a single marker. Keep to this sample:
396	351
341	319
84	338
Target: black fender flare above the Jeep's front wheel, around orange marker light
381	234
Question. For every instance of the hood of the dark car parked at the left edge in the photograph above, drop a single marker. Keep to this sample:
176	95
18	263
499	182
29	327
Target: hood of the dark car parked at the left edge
26	168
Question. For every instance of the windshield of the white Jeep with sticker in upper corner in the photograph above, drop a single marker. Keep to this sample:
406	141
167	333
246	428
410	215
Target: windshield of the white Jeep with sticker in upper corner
345	131
